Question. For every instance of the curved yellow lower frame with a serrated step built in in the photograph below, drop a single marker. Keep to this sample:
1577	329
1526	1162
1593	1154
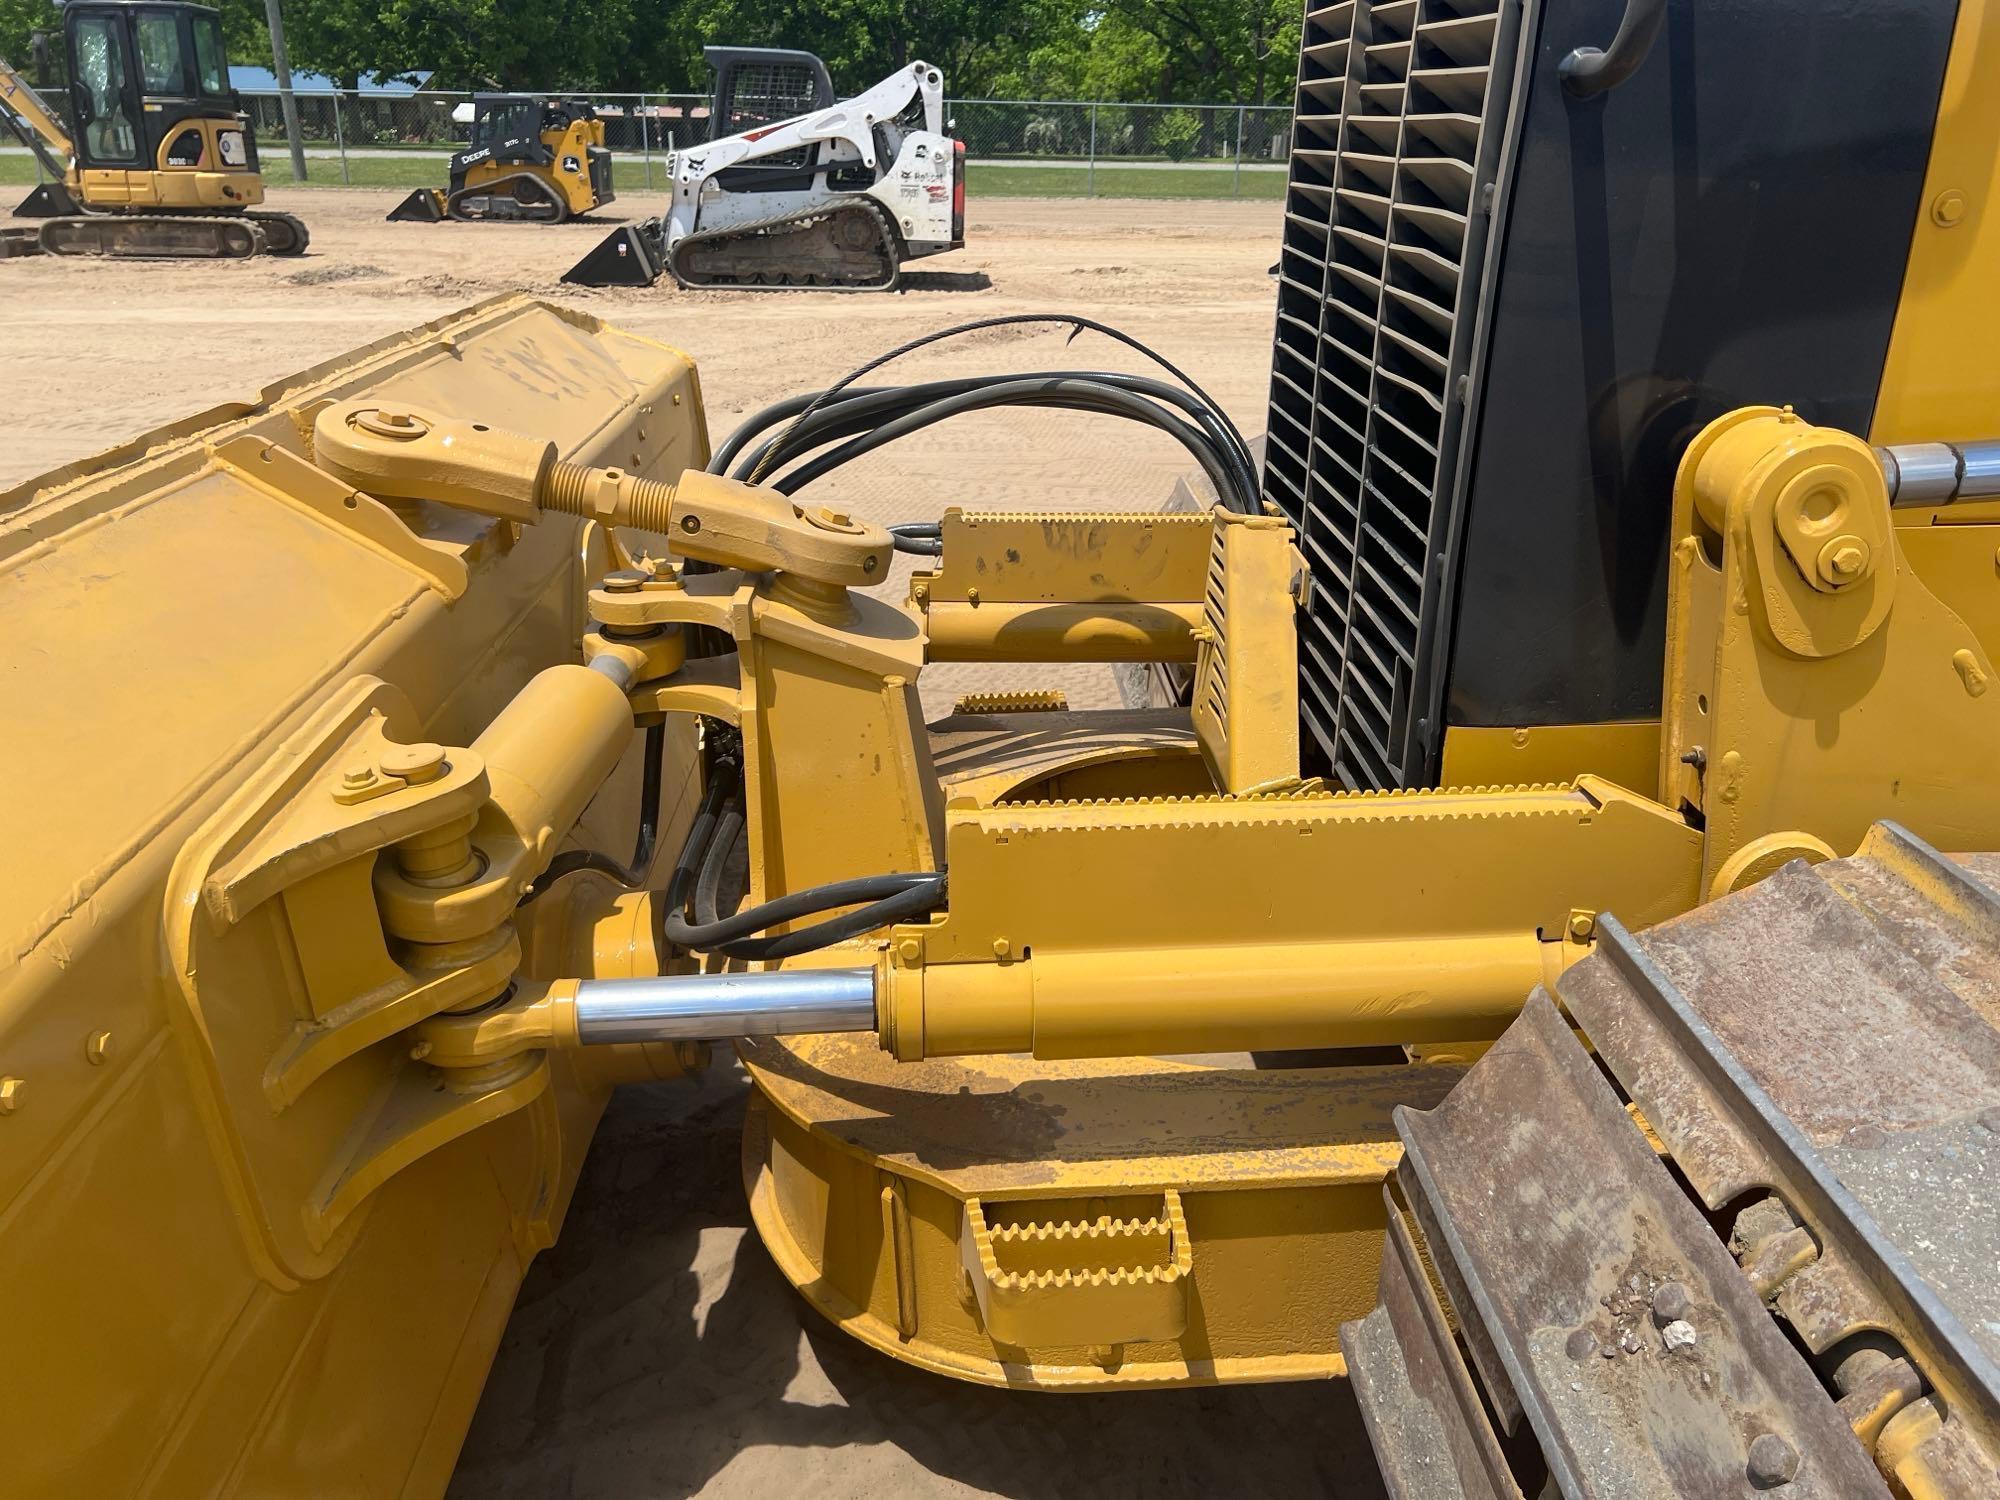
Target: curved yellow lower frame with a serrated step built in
873	1179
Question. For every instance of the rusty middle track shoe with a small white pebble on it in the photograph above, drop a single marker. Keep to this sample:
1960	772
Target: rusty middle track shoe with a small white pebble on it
1563	1229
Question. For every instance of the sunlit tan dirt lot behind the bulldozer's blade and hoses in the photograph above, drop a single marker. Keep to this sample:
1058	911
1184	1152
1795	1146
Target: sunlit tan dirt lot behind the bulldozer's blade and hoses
99	353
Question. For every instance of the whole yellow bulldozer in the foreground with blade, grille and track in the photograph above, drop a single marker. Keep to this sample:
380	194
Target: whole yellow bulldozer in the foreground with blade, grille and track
1531	945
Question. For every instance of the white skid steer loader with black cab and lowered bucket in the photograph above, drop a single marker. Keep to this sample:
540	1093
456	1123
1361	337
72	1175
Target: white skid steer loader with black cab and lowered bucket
797	189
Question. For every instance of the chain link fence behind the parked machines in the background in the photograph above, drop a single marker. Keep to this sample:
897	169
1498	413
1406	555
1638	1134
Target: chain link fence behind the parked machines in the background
1029	147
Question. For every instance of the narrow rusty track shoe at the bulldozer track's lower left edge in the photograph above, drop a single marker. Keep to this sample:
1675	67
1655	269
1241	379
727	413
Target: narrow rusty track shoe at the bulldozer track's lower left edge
1417	1397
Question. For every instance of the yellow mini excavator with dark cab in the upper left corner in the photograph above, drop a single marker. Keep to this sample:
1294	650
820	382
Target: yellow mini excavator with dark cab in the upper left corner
161	161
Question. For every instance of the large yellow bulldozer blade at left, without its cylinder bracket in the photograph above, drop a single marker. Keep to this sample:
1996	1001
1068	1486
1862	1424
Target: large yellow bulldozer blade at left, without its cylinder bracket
177	613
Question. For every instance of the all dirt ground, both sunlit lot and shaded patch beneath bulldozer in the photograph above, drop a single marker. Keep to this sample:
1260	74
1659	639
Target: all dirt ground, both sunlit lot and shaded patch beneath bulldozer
657	1351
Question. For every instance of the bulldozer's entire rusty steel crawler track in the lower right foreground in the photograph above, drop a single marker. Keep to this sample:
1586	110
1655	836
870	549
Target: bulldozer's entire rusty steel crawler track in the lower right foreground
1821	1061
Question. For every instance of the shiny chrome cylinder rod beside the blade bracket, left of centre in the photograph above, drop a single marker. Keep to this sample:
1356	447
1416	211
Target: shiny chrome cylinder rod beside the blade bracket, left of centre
715	1007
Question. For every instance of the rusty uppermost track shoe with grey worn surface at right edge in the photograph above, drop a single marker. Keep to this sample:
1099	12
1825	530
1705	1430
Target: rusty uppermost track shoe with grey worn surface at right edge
1829	1035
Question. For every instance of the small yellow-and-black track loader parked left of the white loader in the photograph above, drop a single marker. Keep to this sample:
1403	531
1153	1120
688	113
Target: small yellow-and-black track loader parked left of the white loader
531	159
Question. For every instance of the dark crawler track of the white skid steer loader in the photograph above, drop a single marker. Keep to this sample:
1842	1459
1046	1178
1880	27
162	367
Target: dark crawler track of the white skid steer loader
841	247
